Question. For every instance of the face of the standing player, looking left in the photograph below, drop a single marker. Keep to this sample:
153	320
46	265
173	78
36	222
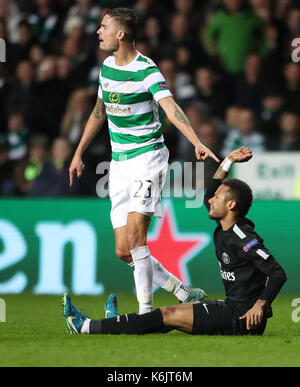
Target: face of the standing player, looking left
109	34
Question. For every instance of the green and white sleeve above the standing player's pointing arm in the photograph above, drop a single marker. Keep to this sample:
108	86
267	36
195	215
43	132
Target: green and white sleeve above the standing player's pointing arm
156	84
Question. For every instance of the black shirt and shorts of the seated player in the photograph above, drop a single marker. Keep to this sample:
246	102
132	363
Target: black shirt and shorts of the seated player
249	272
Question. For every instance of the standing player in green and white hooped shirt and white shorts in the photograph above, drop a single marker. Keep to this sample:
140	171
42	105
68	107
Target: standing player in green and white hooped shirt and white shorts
130	89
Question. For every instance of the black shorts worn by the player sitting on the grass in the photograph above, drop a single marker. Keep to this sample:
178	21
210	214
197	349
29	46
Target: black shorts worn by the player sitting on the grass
218	318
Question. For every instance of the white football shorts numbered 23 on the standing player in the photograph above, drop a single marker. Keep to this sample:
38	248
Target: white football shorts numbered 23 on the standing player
135	185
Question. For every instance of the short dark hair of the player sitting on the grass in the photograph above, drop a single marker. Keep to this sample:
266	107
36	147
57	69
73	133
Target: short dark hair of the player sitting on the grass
241	193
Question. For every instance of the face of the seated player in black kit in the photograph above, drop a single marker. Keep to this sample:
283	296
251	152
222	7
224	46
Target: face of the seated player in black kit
220	203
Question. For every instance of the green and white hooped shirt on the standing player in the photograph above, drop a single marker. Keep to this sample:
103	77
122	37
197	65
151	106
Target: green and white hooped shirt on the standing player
131	94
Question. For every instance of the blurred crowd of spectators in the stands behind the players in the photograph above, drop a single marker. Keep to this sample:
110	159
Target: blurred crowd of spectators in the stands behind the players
227	62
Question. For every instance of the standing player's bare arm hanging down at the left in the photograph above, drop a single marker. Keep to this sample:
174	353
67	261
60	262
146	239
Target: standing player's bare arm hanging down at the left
93	126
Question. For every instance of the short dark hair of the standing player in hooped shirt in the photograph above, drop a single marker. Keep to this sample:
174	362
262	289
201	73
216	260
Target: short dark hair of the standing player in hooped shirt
129	18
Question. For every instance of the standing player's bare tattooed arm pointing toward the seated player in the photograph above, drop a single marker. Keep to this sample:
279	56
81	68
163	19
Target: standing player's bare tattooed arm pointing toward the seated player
179	119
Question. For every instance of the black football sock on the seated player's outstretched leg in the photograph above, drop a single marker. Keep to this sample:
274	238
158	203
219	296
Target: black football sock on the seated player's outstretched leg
130	324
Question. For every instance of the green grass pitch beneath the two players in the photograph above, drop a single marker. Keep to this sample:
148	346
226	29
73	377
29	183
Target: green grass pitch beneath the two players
34	335
